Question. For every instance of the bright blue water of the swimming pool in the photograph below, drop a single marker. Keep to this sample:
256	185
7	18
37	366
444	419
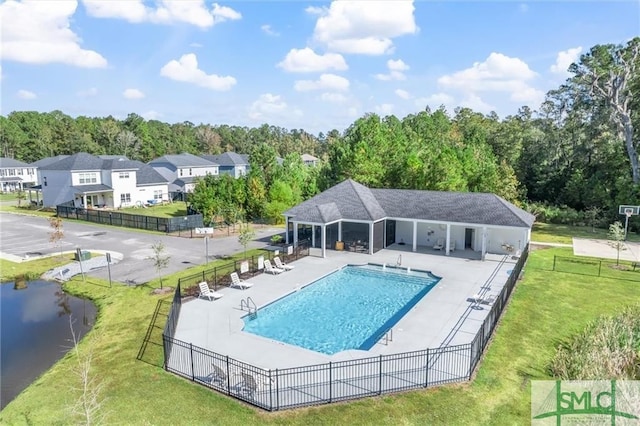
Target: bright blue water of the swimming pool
348	309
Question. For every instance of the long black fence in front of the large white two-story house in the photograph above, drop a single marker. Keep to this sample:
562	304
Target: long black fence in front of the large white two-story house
162	224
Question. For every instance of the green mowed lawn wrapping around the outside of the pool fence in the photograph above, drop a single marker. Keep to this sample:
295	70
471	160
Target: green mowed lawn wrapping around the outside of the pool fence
546	308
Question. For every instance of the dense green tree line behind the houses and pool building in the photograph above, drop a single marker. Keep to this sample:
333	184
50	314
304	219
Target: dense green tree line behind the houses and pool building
576	153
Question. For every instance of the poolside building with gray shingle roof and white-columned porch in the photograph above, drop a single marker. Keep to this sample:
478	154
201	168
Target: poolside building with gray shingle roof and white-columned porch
353	217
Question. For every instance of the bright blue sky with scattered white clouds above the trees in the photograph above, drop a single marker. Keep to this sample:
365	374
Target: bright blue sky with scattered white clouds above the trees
296	64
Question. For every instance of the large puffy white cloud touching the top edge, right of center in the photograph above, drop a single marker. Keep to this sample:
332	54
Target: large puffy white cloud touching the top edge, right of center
364	27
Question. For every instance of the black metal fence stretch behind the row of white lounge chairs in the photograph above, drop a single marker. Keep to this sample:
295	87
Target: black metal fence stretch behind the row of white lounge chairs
220	275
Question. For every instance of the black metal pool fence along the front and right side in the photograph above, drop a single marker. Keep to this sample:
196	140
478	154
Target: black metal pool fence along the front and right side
287	388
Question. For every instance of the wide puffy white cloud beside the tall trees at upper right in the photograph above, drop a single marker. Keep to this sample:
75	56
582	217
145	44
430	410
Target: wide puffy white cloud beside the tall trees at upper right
499	73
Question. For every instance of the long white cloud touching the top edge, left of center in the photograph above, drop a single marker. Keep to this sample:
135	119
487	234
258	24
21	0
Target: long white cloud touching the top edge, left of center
193	12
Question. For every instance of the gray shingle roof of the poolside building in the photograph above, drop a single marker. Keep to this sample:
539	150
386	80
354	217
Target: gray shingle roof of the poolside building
354	201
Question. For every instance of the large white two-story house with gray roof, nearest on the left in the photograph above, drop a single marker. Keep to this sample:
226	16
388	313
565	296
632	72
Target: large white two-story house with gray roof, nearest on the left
90	181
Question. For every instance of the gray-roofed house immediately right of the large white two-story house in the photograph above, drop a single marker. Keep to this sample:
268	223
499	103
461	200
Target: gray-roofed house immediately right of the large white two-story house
182	170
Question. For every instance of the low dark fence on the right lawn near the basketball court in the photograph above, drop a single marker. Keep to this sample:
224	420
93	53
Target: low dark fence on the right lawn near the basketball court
603	268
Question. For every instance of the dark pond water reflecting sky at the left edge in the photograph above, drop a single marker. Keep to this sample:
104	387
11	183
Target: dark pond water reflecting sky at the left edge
35	331
